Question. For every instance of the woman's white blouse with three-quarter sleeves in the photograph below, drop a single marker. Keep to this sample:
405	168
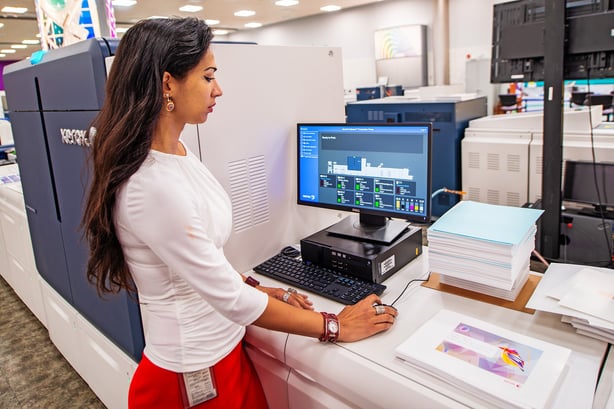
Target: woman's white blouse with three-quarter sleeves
172	218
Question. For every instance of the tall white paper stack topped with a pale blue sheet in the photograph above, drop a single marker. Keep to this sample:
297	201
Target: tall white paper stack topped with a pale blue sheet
484	248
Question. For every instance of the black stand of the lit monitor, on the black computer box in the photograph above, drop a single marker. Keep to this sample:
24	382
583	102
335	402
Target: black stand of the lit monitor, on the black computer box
377	229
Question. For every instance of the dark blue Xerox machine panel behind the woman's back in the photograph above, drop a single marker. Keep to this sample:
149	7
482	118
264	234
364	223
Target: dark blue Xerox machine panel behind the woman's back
52	104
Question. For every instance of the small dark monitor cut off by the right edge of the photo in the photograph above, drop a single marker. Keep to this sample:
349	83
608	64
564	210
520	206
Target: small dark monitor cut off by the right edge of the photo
590	183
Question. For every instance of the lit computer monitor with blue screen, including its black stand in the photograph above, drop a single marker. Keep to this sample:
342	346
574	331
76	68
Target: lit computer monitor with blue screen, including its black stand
381	171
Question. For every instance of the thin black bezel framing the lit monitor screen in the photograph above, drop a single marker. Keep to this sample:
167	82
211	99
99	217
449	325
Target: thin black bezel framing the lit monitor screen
416	219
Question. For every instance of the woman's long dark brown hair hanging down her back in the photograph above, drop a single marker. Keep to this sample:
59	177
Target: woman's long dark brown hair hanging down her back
124	127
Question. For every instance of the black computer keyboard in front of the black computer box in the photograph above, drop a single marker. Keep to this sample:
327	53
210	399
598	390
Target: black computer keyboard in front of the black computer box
322	281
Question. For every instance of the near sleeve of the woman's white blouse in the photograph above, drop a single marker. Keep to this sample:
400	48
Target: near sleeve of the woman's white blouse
164	215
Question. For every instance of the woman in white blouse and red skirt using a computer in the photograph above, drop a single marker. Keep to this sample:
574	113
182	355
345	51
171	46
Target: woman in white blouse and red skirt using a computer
156	221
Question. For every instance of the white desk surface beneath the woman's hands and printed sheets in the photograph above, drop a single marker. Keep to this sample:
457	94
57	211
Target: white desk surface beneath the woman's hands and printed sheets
368	374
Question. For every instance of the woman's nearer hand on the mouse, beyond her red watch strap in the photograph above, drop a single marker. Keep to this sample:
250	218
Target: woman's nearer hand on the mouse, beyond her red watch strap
362	320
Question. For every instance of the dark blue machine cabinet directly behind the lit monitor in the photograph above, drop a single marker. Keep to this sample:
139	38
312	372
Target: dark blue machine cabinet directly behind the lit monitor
449	118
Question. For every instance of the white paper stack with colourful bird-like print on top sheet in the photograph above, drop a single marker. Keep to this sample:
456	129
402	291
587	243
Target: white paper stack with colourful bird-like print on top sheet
506	369
